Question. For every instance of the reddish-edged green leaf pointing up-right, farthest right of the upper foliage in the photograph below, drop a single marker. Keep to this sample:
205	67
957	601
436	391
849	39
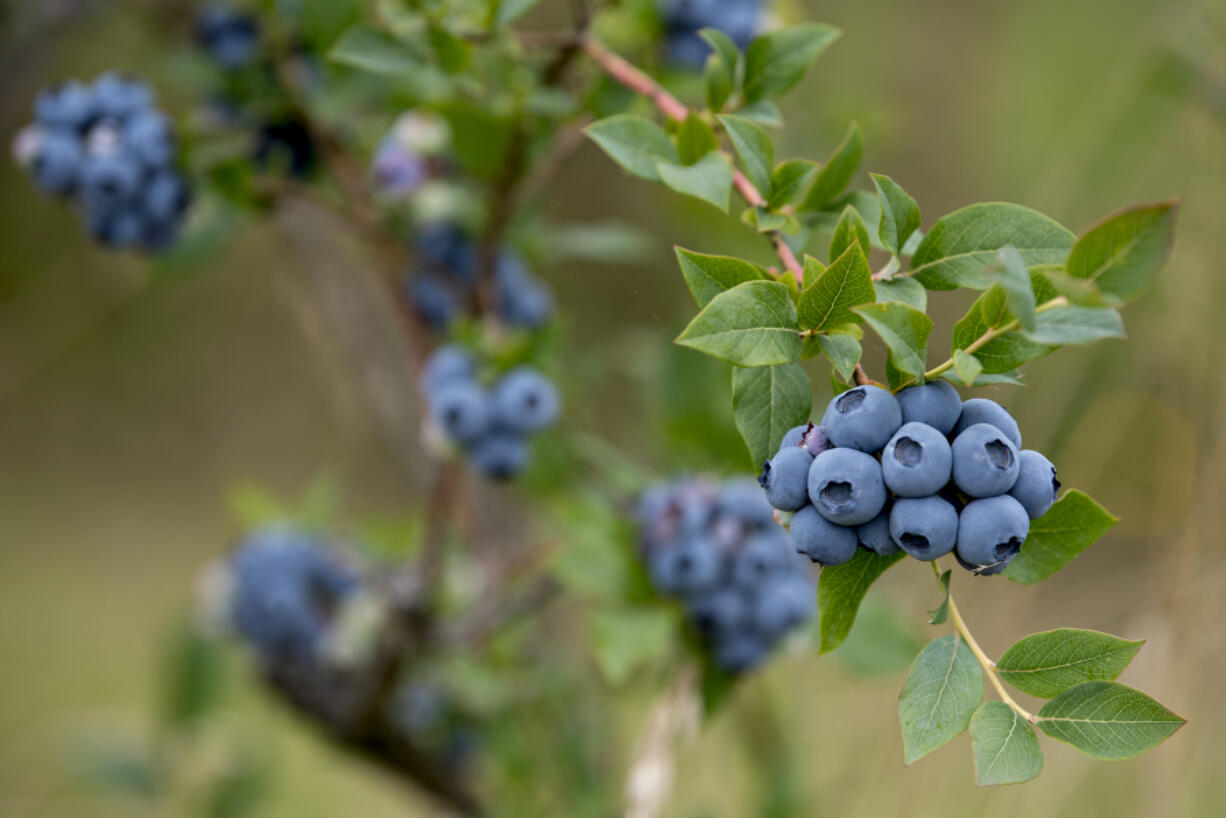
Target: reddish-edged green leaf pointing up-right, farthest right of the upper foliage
1126	251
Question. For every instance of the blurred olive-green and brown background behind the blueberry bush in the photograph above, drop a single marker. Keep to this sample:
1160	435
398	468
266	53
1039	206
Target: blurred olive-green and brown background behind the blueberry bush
137	408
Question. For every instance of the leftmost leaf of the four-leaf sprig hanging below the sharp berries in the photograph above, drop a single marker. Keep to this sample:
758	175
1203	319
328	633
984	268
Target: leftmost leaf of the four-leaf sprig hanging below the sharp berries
940	697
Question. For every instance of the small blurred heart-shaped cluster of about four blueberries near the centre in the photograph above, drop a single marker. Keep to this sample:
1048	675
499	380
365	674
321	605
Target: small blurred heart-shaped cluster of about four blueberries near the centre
491	425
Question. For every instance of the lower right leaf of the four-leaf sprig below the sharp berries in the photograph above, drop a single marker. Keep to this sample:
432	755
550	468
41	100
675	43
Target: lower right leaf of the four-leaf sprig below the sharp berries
1108	721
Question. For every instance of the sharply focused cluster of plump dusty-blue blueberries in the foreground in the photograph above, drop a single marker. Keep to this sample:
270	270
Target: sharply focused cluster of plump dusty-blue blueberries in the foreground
924	472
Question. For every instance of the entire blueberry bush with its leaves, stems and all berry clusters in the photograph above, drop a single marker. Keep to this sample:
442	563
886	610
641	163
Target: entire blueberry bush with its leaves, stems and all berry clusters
426	131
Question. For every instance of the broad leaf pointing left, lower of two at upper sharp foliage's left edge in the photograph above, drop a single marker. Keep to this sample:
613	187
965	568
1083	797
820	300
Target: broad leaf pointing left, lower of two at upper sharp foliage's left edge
751	326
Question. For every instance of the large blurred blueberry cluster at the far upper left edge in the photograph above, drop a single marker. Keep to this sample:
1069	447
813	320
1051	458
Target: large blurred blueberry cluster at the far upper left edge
109	149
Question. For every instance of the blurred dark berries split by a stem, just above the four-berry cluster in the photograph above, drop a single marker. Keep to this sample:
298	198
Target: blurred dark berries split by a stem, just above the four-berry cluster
447	285
